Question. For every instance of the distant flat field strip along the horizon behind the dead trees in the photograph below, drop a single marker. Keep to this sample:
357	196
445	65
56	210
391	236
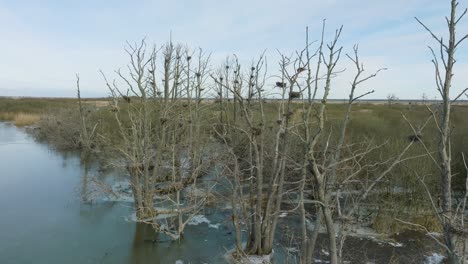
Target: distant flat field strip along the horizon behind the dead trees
28	110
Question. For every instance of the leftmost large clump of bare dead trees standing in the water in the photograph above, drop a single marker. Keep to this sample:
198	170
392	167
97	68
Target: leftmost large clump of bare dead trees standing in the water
161	143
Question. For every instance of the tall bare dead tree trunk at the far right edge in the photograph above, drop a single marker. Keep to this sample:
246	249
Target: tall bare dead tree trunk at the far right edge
444	61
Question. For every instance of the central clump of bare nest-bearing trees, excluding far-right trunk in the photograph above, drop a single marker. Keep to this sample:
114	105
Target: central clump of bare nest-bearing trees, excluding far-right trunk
271	161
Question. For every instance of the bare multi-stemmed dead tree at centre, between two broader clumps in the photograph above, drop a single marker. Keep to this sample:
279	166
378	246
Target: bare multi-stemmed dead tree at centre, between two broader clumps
257	171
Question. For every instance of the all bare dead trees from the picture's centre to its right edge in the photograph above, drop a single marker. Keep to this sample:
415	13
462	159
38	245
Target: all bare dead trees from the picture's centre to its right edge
268	161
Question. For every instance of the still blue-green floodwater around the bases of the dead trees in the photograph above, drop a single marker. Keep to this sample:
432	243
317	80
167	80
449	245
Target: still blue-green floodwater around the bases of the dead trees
45	220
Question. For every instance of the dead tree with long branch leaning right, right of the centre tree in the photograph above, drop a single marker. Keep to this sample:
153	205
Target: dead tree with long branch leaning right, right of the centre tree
327	169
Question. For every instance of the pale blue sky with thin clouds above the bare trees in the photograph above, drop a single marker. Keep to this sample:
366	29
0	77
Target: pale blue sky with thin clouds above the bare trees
44	43
